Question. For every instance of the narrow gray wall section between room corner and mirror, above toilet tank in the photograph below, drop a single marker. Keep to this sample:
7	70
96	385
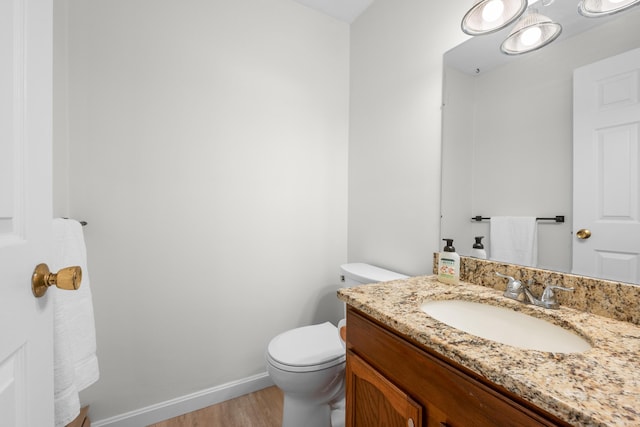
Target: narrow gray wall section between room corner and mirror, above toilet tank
394	138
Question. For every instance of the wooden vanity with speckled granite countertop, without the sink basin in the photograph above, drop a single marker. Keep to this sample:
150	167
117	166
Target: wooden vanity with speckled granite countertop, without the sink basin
405	368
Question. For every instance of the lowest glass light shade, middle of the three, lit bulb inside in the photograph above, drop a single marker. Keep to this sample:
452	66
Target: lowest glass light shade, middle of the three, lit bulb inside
532	32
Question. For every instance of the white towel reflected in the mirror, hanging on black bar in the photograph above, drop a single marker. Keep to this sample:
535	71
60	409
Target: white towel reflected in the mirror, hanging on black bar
514	240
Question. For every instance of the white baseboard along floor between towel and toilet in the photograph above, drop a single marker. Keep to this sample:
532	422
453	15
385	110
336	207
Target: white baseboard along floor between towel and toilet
185	404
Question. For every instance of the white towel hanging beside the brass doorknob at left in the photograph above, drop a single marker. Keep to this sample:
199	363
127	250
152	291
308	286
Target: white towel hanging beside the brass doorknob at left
74	345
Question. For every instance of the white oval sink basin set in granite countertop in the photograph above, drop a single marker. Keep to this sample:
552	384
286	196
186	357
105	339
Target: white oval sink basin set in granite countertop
505	326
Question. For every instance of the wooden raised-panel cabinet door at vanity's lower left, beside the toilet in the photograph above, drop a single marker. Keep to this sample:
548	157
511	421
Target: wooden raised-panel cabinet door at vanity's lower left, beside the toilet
373	401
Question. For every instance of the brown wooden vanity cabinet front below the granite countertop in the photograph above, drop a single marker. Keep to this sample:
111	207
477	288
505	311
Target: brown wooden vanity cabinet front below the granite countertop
391	381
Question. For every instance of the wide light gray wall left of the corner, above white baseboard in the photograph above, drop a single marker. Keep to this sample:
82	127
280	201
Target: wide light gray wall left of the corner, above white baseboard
205	142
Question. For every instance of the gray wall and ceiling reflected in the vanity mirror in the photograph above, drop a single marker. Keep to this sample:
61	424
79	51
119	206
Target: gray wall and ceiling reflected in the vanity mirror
507	129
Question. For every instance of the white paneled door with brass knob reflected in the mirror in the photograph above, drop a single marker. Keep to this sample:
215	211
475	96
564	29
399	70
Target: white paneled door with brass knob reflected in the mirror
606	165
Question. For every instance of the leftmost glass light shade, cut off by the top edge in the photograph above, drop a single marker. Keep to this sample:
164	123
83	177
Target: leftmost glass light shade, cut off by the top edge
488	16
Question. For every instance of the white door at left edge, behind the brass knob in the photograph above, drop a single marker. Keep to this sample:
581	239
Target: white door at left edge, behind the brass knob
26	350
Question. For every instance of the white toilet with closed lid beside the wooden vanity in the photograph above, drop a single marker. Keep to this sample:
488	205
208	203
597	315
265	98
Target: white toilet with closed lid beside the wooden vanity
308	363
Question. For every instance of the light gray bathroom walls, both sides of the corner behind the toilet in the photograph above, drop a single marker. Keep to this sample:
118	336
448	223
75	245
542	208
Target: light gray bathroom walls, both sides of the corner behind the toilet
206	144
